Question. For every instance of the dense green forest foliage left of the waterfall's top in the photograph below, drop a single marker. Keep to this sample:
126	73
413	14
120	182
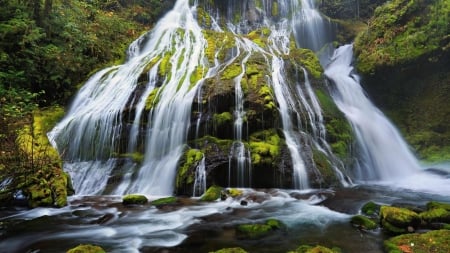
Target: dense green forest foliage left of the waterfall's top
53	47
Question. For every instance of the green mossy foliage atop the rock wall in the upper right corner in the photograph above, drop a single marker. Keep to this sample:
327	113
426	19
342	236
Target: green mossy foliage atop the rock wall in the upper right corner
401	31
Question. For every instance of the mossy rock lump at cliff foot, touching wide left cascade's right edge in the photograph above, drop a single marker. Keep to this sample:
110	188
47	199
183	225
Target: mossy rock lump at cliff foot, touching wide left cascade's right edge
186	172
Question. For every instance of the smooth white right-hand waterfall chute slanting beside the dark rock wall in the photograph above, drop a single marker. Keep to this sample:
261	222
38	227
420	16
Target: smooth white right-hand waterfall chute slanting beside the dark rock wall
383	154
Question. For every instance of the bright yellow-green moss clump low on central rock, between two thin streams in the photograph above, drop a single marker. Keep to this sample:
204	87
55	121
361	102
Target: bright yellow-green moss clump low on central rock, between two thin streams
265	147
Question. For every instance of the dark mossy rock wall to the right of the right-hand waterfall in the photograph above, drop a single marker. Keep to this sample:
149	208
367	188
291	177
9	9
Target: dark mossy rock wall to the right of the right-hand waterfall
404	57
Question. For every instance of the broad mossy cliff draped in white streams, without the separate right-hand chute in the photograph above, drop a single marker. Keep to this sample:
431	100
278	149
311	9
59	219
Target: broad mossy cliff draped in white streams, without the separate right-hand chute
229	94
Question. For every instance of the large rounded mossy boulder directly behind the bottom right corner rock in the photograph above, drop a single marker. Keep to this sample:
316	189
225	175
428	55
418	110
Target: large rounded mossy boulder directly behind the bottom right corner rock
398	220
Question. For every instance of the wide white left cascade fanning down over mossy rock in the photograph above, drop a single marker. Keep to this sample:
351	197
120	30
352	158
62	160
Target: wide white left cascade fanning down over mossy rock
91	130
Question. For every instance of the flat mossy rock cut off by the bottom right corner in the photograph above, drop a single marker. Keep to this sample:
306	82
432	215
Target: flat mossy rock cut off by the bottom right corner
432	241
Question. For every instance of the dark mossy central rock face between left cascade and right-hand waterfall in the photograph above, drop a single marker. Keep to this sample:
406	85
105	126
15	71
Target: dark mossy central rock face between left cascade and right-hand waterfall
214	135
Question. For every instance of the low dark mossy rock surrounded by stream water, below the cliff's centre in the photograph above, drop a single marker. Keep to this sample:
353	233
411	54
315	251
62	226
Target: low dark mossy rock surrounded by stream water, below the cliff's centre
258	230
